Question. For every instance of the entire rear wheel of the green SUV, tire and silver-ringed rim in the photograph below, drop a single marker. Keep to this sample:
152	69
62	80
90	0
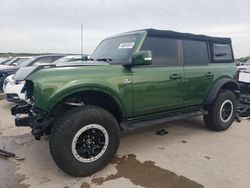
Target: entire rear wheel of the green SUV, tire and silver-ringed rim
222	112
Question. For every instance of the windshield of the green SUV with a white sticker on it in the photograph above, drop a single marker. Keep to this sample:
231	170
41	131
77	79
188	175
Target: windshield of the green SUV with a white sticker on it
116	49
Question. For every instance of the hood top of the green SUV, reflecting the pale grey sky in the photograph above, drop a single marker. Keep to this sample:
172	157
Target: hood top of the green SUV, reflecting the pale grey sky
25	72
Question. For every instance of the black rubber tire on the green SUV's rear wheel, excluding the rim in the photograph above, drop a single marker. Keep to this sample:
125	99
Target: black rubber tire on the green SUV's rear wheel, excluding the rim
213	118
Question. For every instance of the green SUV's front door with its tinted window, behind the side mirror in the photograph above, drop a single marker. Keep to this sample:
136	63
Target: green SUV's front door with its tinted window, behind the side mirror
158	87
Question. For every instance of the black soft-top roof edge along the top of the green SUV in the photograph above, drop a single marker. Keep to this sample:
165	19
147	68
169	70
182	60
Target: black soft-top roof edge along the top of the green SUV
173	34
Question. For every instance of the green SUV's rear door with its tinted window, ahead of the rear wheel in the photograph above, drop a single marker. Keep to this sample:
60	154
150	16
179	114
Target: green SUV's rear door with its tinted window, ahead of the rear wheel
199	73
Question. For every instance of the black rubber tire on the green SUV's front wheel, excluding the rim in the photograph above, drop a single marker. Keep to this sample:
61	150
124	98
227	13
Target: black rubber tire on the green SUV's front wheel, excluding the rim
64	131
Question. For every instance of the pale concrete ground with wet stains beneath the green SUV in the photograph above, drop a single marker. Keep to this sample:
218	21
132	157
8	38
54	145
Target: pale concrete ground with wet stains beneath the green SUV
188	156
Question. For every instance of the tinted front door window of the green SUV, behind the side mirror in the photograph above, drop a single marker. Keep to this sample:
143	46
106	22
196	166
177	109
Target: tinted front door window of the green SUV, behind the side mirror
164	50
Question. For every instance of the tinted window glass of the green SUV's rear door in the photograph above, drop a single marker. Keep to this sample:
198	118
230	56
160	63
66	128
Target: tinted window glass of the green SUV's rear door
195	52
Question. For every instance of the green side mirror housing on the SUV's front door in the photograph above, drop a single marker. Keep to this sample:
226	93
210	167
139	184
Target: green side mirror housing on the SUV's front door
142	58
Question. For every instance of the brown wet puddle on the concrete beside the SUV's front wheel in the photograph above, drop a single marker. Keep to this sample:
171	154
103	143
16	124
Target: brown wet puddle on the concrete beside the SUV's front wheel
146	174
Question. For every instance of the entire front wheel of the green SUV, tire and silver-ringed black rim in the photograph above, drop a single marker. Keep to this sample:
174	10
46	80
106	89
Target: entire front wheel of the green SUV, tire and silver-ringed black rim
84	140
